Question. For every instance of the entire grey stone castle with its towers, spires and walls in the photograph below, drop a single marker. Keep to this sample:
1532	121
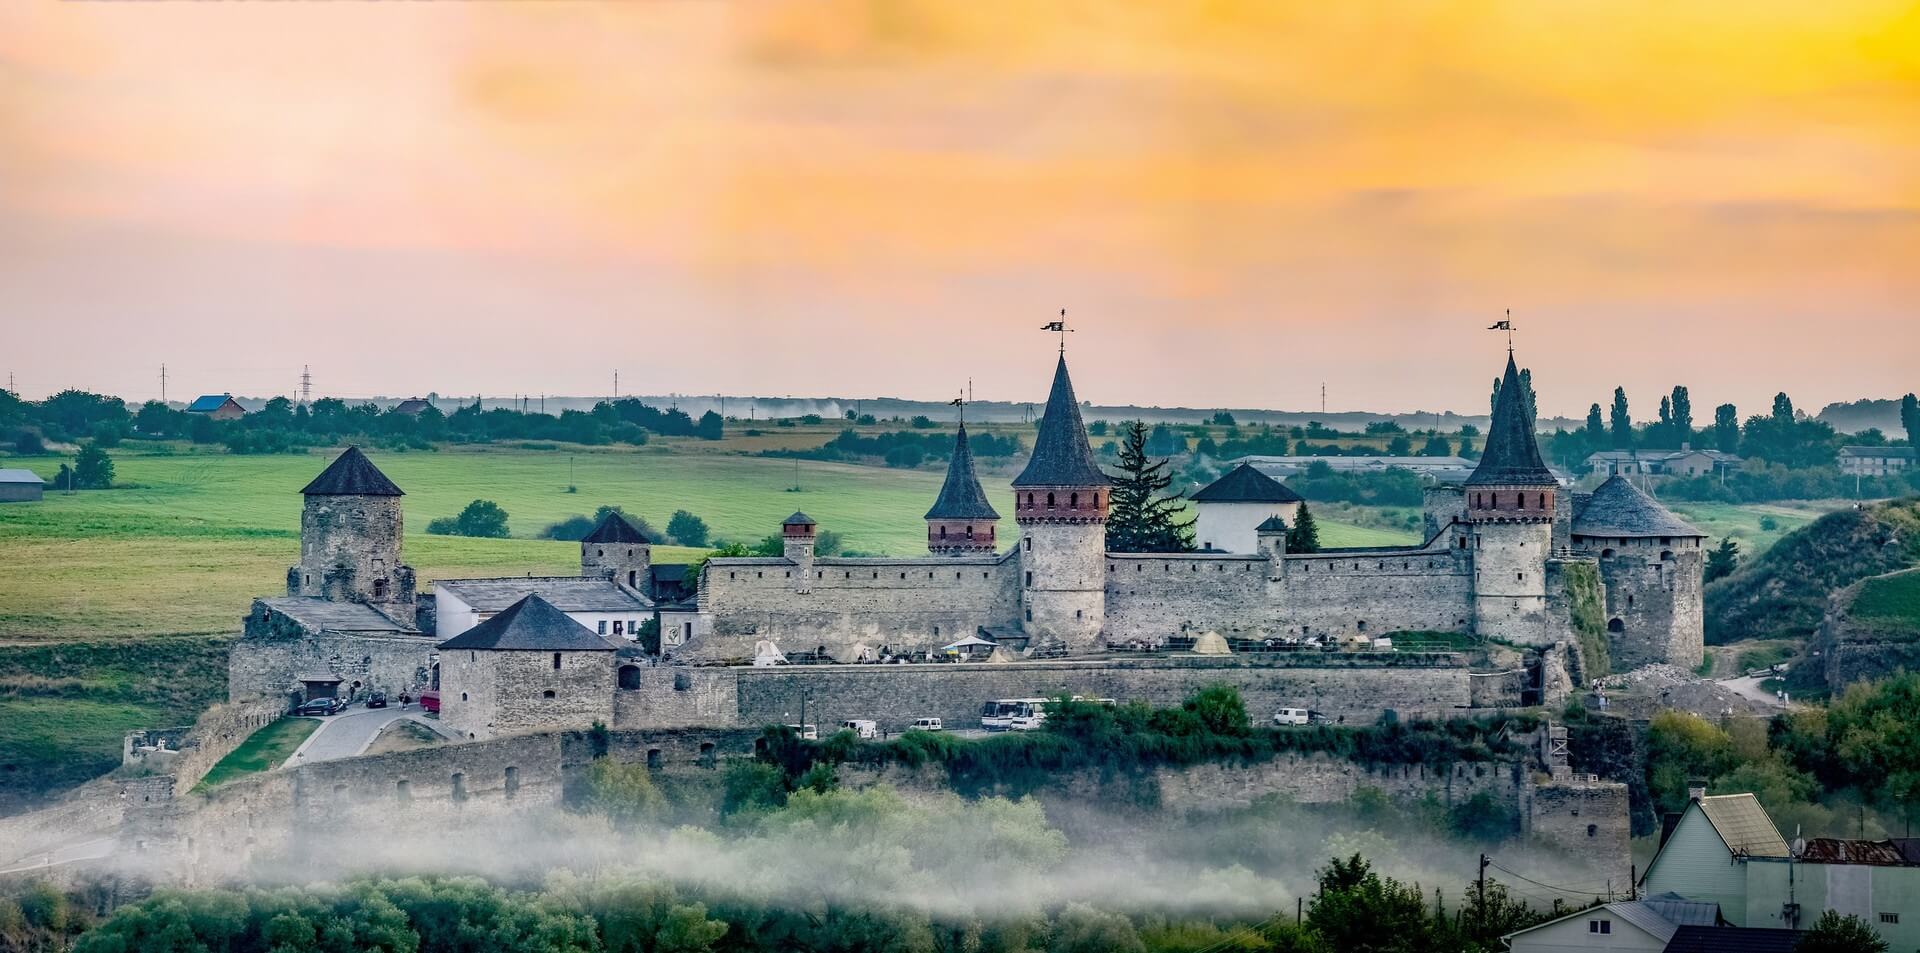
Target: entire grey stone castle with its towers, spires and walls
1510	556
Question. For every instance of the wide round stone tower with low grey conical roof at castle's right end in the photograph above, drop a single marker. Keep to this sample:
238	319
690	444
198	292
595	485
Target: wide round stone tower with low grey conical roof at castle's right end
1652	564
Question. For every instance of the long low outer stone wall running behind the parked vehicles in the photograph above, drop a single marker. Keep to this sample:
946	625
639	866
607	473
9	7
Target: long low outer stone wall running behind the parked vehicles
1351	687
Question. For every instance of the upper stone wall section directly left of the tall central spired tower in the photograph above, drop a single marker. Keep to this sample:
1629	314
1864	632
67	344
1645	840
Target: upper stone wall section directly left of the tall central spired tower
909	604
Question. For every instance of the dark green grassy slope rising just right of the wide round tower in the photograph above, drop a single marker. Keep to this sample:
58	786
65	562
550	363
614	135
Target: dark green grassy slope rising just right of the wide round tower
1785	593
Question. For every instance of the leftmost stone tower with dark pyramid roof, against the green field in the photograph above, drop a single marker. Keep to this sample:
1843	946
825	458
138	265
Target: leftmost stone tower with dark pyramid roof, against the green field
350	535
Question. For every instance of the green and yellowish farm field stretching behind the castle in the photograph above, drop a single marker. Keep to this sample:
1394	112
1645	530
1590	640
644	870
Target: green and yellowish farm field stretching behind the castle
193	537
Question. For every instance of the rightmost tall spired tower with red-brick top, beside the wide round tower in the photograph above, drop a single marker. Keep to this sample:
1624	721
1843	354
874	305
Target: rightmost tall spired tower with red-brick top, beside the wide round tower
1510	512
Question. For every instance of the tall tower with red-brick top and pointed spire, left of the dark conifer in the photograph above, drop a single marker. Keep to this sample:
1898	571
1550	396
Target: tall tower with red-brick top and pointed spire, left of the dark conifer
1061	504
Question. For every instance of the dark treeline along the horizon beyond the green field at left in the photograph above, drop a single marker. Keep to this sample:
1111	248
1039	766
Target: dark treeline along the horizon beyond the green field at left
287	428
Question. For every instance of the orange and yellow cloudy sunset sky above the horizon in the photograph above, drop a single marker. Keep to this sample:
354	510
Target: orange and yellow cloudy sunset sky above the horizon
1236	201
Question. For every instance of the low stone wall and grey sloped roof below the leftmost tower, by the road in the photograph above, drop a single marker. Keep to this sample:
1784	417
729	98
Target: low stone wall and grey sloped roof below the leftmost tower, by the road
277	650
